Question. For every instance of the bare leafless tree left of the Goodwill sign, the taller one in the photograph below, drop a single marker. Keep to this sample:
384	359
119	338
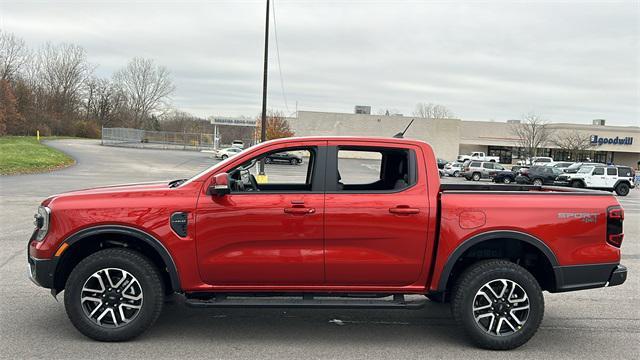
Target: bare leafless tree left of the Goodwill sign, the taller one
532	133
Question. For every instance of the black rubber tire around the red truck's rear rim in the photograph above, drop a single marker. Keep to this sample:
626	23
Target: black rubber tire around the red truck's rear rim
469	284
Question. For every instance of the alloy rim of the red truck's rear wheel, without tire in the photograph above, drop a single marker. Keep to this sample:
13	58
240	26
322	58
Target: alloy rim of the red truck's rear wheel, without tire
501	307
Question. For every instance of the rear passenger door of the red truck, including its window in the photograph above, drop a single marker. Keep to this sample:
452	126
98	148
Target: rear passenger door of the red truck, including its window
376	214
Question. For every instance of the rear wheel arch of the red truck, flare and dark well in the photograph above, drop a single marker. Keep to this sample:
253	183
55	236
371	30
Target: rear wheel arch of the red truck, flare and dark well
514	243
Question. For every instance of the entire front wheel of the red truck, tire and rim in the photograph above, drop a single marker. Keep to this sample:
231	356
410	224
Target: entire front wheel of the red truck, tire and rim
114	295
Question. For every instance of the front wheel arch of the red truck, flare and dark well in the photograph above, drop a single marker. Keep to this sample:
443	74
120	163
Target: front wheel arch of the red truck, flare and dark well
87	241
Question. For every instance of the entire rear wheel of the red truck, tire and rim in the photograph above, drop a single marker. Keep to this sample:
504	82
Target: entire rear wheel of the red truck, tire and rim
498	303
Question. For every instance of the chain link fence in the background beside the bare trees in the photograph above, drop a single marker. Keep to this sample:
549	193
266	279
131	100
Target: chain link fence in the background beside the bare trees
126	137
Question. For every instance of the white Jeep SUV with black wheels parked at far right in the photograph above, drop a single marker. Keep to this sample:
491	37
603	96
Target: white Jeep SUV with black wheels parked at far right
610	178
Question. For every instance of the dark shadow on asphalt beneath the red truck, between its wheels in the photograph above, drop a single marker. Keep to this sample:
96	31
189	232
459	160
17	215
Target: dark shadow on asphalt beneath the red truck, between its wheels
351	327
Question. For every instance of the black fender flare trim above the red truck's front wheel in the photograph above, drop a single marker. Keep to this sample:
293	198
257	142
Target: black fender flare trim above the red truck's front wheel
138	234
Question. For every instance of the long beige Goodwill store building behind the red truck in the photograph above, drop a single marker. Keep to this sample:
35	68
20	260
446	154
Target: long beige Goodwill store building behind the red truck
451	137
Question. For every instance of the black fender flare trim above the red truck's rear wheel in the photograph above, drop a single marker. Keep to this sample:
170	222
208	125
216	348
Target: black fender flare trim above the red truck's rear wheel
491	235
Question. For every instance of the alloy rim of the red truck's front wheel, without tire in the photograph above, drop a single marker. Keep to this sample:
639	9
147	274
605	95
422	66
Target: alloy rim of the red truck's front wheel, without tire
111	297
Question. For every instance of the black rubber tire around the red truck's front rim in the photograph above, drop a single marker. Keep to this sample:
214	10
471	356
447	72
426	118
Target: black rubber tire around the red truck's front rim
136	264
